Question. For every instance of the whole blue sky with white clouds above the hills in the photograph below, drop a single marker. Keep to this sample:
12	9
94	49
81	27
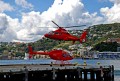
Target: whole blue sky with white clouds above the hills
29	20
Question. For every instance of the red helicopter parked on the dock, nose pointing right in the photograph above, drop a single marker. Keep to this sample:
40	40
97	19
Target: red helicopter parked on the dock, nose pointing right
57	54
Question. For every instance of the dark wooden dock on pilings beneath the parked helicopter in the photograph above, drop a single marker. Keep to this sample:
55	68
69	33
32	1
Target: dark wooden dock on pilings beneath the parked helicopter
55	72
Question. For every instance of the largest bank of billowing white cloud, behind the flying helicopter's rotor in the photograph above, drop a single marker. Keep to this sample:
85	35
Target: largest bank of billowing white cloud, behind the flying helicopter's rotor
30	27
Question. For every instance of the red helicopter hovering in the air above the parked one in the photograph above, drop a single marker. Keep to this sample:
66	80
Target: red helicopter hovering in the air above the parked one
62	34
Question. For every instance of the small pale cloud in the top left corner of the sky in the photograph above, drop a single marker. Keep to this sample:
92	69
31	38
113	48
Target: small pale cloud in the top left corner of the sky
5	7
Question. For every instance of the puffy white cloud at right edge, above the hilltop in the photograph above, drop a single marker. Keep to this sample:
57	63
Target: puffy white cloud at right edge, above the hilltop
112	14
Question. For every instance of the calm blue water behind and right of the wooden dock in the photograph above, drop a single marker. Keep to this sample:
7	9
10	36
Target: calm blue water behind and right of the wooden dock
116	63
